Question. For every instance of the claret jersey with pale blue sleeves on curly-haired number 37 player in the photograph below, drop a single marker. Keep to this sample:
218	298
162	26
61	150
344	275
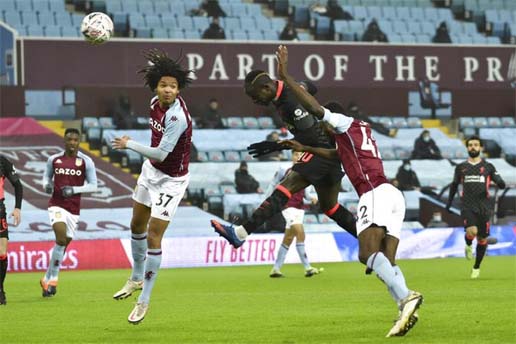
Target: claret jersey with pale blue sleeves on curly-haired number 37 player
171	131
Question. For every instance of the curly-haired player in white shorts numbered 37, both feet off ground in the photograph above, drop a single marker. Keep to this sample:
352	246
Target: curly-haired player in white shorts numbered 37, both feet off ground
164	177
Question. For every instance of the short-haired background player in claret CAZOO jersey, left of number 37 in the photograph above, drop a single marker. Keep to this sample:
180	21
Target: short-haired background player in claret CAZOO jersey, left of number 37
68	174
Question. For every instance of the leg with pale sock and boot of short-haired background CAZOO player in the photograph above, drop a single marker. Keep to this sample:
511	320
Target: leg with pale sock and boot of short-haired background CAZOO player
48	282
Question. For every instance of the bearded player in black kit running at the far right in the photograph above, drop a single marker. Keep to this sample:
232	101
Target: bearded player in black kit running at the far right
475	175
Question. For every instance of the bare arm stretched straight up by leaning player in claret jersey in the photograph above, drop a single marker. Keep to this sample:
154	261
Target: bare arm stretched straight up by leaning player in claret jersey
306	99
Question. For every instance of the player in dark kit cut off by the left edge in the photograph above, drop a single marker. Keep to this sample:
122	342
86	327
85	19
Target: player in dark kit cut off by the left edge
8	171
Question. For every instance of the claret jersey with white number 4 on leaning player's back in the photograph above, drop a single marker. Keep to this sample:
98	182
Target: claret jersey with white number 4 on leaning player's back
358	152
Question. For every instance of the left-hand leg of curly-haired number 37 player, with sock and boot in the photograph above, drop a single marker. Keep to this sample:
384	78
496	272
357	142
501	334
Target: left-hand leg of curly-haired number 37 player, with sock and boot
139	221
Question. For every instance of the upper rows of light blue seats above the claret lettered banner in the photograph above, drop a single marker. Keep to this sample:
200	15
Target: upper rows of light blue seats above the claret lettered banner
401	21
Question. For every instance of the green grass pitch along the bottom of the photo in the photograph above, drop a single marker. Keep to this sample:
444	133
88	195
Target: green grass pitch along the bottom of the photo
244	305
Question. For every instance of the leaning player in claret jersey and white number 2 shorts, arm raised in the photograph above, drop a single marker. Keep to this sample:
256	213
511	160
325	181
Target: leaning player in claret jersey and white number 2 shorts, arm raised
381	207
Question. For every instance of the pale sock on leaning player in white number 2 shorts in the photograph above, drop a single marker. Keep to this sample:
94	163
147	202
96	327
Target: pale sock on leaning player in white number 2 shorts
383	268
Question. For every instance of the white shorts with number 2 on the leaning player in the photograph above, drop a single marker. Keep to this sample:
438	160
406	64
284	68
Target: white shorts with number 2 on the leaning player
383	206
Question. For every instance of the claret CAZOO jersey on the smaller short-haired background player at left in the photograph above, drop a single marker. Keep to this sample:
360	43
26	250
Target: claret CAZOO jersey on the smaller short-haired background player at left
67	171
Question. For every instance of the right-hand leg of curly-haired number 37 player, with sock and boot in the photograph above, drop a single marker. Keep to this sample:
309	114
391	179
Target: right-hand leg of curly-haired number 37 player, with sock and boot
157	228
